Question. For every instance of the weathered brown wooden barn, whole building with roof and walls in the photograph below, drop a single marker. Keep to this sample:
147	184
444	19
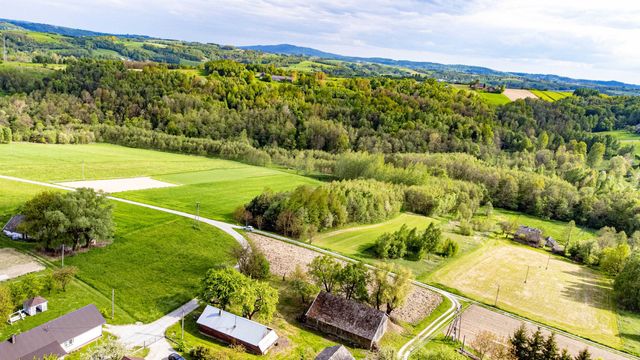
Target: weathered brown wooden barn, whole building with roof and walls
348	320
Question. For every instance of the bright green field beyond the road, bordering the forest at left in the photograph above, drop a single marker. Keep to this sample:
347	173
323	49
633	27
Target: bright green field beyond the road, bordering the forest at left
219	185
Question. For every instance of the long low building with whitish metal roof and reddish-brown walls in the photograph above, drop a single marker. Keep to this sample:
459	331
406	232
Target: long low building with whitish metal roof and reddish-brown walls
233	329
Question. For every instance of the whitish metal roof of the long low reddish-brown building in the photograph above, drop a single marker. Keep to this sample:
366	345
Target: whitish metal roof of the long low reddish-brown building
237	327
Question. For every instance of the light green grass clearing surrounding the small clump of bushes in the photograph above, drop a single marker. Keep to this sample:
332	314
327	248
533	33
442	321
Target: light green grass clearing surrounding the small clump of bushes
357	241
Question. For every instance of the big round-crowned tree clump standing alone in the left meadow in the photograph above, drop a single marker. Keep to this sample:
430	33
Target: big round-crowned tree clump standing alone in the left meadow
73	219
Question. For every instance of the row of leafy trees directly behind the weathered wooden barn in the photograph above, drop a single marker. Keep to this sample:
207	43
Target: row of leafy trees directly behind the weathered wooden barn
386	288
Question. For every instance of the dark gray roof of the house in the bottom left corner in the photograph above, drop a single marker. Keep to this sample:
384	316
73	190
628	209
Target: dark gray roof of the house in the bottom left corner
46	338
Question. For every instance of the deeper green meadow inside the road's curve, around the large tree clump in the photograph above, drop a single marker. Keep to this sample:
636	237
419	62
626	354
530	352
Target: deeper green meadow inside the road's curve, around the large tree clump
154	263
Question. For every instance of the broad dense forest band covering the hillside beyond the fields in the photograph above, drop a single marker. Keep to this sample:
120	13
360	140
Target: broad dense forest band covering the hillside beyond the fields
545	159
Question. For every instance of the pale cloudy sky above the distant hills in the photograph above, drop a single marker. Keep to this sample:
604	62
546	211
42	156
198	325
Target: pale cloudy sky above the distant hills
578	38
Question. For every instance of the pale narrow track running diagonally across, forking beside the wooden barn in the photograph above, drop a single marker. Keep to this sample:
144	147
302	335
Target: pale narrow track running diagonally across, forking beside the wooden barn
407	349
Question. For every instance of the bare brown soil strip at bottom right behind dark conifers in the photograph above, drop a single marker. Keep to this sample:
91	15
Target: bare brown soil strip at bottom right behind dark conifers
476	319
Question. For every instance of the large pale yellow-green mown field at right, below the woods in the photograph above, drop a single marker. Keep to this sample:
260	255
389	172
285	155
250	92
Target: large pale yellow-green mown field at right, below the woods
566	295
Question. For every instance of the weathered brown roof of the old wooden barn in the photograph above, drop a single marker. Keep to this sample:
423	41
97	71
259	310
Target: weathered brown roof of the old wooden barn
348	315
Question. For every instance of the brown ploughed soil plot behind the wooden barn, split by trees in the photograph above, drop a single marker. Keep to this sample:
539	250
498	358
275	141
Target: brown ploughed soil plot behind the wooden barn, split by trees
284	257
